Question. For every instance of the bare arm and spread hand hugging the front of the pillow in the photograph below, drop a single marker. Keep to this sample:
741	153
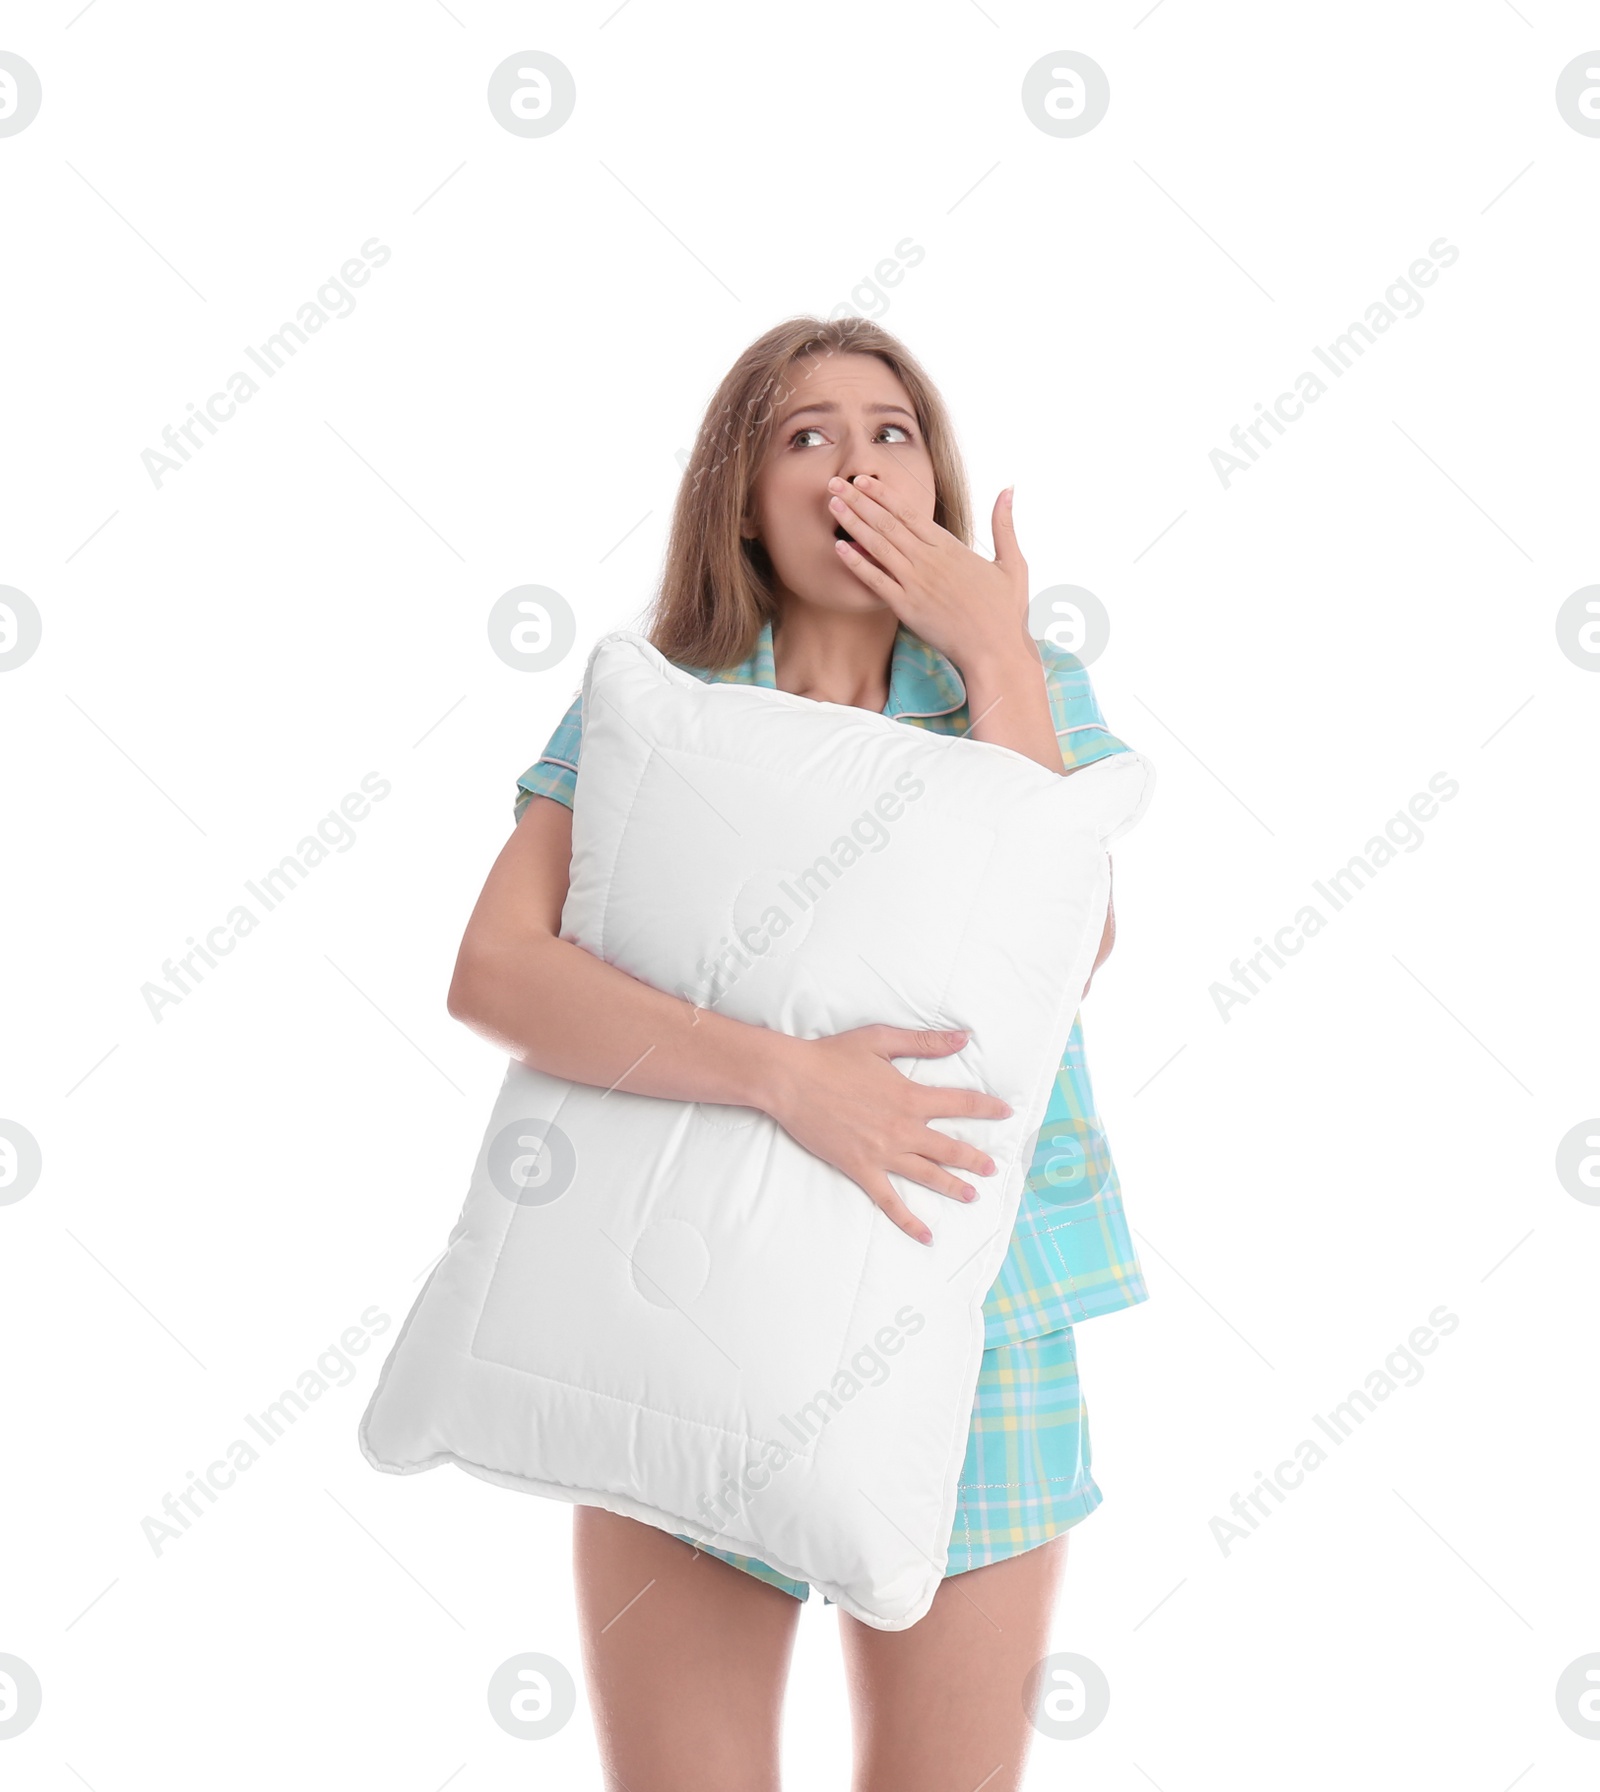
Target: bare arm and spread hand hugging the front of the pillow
558	1008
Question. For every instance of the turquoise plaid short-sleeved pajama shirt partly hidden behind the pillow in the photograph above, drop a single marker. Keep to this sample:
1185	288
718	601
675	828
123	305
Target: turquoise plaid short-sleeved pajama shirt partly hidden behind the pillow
1072	1255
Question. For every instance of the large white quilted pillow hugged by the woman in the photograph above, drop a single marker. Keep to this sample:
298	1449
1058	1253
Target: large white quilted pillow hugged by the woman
671	1309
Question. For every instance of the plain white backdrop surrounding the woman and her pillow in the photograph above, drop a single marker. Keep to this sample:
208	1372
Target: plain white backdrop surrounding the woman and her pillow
228	1189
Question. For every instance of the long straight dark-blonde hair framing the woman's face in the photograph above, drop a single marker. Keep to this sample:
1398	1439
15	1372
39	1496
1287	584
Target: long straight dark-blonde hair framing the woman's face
718	587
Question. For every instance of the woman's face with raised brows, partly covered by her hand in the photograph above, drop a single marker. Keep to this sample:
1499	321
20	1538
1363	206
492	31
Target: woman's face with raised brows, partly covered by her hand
841	415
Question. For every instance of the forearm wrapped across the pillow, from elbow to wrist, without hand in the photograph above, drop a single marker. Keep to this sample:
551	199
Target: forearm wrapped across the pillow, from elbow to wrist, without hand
560	1010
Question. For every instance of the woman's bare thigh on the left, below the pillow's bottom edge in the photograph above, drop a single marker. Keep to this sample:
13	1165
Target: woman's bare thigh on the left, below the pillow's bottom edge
685	1660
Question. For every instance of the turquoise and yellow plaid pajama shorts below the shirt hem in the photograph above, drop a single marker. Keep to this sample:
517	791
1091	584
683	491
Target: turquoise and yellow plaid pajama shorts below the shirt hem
1028	1467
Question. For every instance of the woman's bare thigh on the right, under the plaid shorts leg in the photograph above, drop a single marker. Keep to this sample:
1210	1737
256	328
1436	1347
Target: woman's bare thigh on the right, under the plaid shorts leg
942	1705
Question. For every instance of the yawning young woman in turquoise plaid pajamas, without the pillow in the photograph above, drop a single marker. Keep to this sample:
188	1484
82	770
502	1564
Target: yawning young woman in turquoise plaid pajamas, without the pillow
829	431
